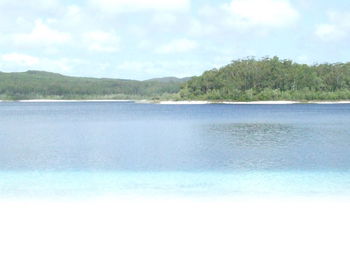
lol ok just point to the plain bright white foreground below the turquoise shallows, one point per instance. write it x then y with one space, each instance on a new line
175 230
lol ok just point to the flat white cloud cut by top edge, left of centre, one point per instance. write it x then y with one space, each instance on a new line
140 5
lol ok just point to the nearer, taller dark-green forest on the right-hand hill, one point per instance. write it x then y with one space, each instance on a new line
270 79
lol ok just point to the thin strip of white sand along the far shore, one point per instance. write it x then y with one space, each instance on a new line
185 102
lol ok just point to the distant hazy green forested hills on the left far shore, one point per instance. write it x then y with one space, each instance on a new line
46 85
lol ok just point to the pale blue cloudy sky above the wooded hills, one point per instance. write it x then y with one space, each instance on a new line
142 39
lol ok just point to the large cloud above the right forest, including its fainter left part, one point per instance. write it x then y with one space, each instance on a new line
256 17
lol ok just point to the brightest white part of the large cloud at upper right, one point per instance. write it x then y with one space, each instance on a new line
270 13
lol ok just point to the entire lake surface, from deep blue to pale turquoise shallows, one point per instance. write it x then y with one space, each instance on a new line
110 147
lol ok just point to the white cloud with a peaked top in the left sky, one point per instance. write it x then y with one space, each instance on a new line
41 35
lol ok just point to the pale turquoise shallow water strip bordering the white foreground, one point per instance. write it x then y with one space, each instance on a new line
119 183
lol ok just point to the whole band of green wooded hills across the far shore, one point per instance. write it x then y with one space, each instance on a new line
242 80
